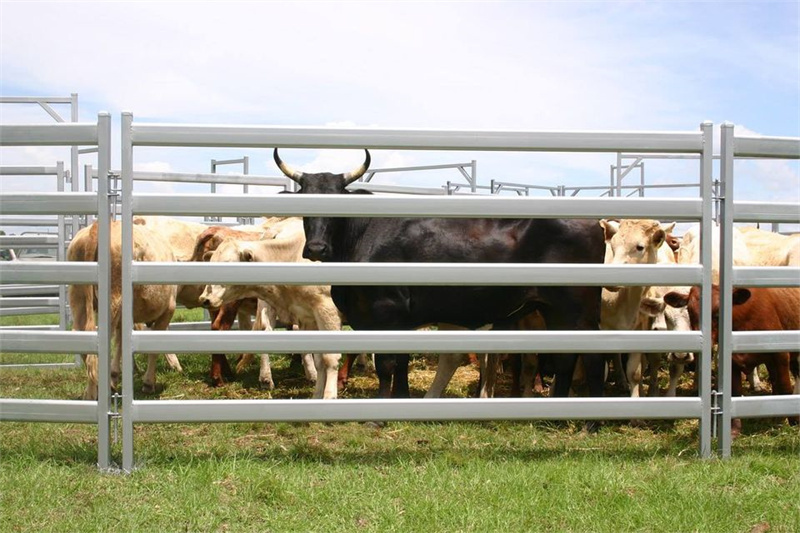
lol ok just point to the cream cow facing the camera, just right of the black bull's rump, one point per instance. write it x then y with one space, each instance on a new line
629 242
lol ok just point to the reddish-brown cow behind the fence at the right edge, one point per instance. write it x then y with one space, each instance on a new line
754 309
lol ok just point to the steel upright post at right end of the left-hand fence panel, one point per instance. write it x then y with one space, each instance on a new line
103 290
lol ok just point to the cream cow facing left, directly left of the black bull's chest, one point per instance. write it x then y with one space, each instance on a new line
309 306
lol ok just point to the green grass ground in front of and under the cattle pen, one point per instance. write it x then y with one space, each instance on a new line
499 476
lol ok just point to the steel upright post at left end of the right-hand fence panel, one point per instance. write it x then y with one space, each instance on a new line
724 376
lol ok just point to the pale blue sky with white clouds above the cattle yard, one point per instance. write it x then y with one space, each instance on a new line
529 66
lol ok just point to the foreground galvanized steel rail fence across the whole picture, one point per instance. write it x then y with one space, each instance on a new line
151 411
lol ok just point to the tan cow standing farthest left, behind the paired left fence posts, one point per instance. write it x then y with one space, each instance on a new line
152 304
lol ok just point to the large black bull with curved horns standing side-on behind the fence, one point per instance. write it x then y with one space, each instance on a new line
457 241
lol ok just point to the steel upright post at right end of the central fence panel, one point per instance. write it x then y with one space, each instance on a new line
704 367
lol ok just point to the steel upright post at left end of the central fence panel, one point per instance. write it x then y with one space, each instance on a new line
127 292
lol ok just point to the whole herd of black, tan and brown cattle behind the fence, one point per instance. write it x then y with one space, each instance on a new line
411 307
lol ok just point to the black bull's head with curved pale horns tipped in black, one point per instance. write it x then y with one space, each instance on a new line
321 231
